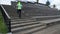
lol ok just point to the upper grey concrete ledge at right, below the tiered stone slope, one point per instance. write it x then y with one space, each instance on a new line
41 18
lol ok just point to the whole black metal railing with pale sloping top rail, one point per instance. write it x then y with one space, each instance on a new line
6 17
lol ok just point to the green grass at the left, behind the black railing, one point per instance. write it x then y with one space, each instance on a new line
3 28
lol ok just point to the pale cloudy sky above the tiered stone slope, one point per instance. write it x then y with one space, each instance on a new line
56 2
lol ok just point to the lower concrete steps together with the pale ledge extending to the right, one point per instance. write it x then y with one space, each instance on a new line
27 26
